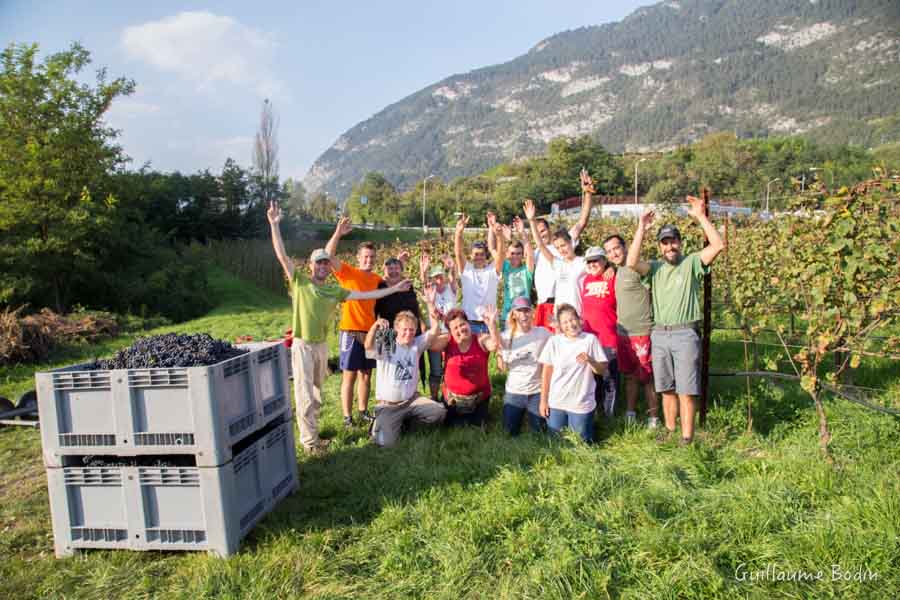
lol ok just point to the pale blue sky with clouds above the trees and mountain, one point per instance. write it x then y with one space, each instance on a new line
203 69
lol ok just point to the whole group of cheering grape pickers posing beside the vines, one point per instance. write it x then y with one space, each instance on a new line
596 316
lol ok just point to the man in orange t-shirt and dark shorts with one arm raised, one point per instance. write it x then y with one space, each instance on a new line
357 317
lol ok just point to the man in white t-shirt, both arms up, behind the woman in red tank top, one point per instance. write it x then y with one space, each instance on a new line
479 277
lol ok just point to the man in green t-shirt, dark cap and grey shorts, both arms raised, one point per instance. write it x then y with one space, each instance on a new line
675 286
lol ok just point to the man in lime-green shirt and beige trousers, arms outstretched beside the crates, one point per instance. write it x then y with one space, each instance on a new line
314 304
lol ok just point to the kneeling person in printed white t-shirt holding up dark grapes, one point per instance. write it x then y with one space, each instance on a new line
397 374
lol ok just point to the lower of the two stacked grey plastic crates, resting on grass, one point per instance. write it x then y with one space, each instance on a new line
172 508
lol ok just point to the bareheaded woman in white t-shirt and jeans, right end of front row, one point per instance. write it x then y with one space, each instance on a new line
570 360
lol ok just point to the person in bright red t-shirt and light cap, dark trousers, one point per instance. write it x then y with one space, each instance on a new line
597 288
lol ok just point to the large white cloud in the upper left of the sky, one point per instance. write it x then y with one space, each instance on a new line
208 49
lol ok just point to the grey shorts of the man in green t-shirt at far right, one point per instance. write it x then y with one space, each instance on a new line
676 361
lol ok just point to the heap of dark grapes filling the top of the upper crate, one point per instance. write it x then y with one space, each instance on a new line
170 350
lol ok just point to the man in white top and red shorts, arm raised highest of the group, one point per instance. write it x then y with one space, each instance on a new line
544 274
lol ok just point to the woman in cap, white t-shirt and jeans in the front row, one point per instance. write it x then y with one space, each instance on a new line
521 344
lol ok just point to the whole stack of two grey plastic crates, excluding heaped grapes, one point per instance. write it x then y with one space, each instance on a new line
167 459
